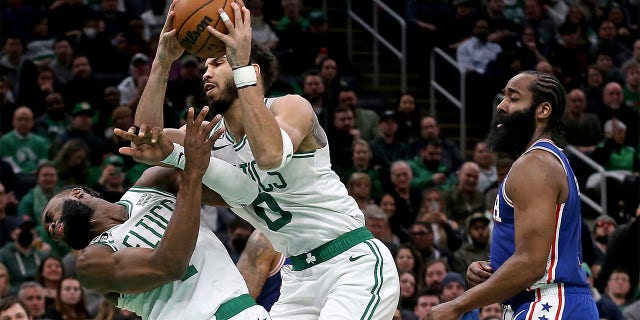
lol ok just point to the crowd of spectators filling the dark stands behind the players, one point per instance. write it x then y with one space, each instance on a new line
73 70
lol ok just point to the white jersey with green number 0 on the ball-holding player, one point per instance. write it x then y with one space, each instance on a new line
302 205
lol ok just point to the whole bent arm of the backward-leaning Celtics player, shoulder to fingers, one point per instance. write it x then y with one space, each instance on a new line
133 270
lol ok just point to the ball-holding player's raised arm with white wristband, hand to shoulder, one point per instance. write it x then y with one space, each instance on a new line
273 134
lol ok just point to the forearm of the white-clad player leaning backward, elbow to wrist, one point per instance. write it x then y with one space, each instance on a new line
179 240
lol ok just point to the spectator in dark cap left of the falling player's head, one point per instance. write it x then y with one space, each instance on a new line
21 257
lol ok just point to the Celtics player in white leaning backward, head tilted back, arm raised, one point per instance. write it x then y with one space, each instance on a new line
149 253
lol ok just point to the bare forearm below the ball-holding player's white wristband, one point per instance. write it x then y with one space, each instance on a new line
261 128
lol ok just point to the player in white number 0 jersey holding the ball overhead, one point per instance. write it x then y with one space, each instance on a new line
338 269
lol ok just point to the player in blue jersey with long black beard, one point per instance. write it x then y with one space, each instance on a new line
536 250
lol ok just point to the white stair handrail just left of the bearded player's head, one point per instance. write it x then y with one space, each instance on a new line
460 103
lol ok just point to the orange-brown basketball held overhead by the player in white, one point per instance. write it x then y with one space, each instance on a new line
191 20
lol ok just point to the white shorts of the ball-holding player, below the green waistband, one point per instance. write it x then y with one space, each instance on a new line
360 283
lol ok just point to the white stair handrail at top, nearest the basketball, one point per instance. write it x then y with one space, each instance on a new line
377 38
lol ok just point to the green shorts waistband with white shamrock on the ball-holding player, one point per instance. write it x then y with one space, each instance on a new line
330 249
